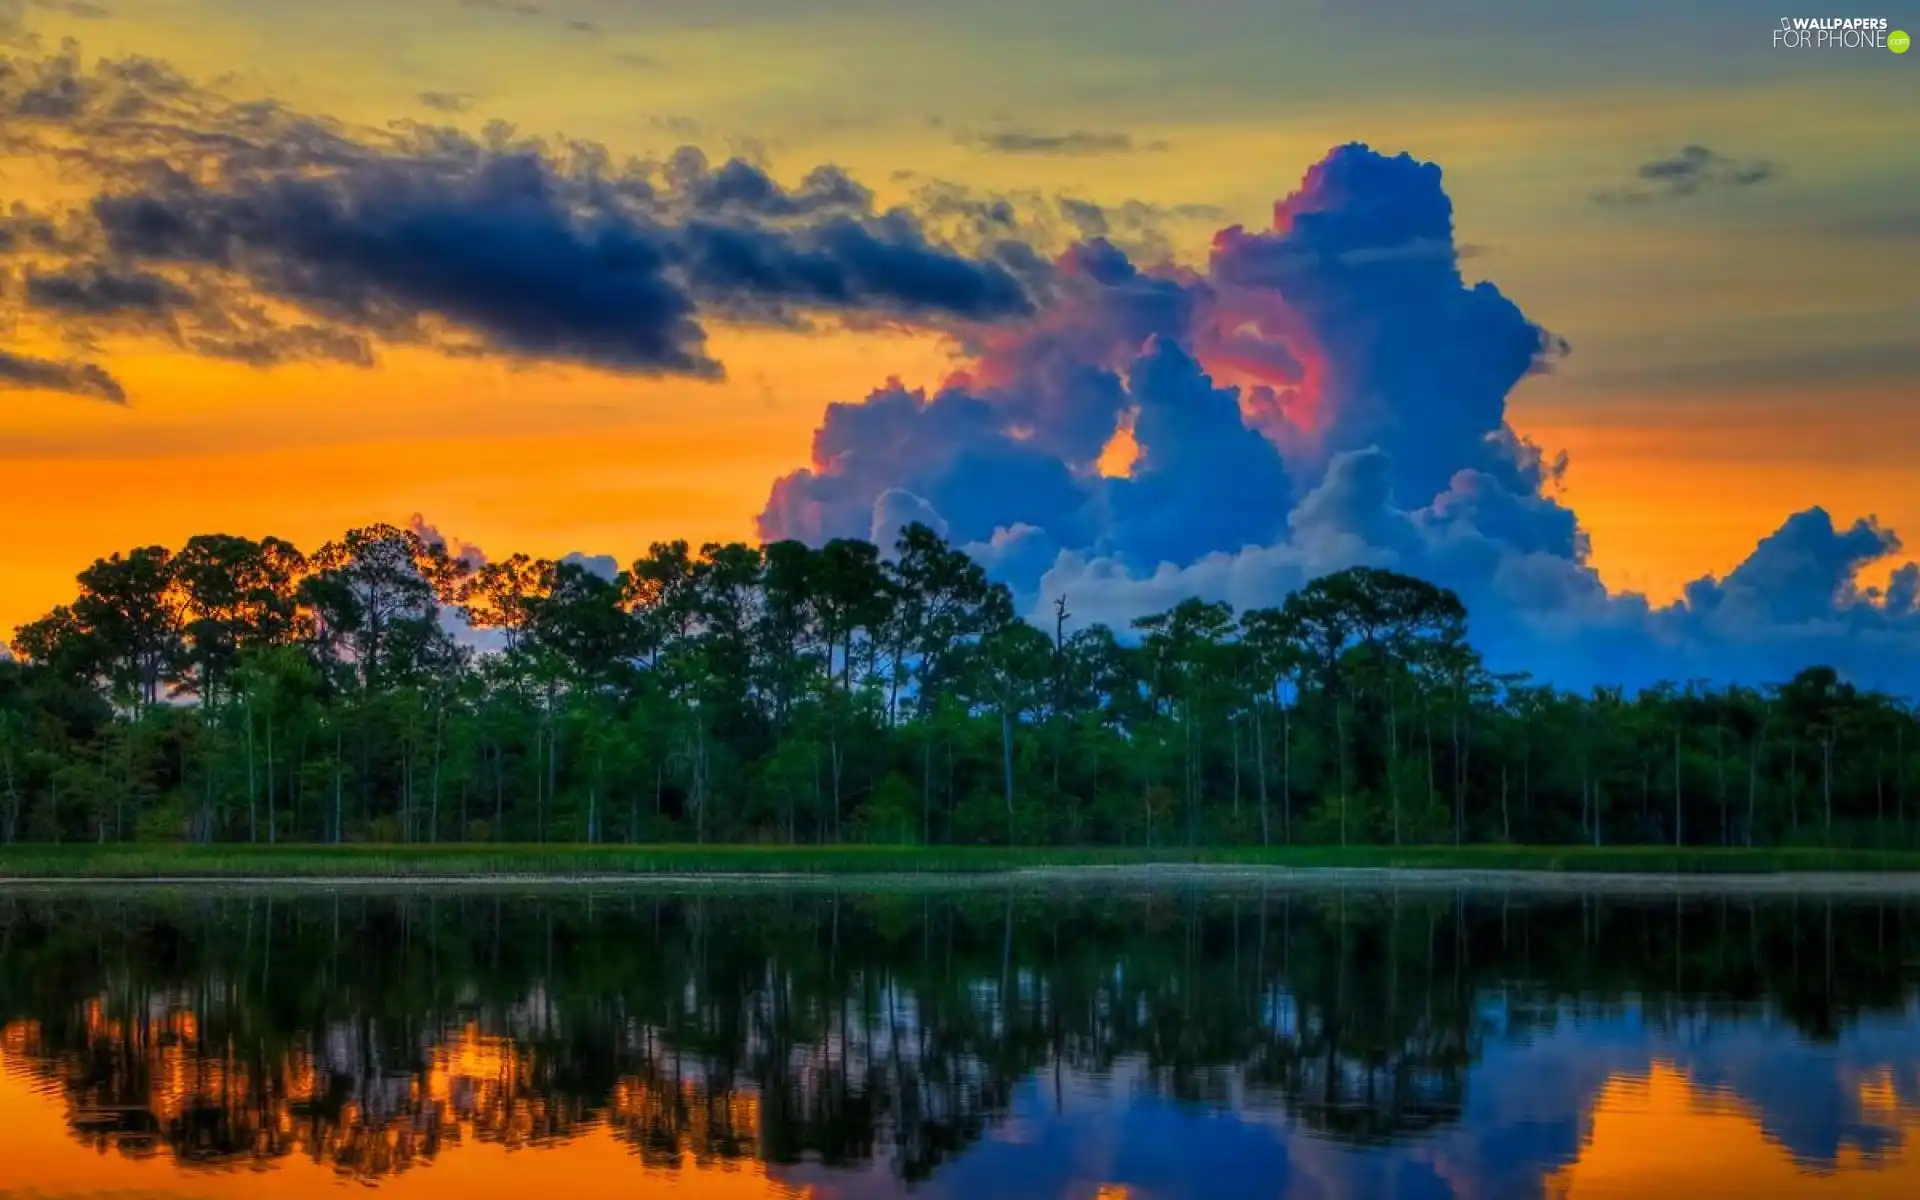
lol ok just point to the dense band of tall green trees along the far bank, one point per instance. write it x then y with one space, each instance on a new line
385 690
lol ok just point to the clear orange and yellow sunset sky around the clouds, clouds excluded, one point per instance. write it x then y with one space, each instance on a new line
1731 356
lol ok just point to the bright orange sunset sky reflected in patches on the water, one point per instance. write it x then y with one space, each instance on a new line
1648 1136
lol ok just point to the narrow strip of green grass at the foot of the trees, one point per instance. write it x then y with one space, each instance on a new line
416 861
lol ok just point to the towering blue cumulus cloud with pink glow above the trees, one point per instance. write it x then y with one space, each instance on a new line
1328 393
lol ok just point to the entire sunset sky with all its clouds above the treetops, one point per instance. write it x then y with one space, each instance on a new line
287 270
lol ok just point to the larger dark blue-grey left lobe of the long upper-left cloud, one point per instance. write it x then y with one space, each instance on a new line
385 251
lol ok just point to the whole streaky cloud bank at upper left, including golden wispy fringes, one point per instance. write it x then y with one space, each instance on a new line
249 231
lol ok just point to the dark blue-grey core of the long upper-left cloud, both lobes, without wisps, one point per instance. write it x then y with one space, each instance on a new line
525 258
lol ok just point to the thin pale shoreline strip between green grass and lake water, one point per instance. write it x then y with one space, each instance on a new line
1115 876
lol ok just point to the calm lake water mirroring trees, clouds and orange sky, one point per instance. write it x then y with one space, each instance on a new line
1170 1044
